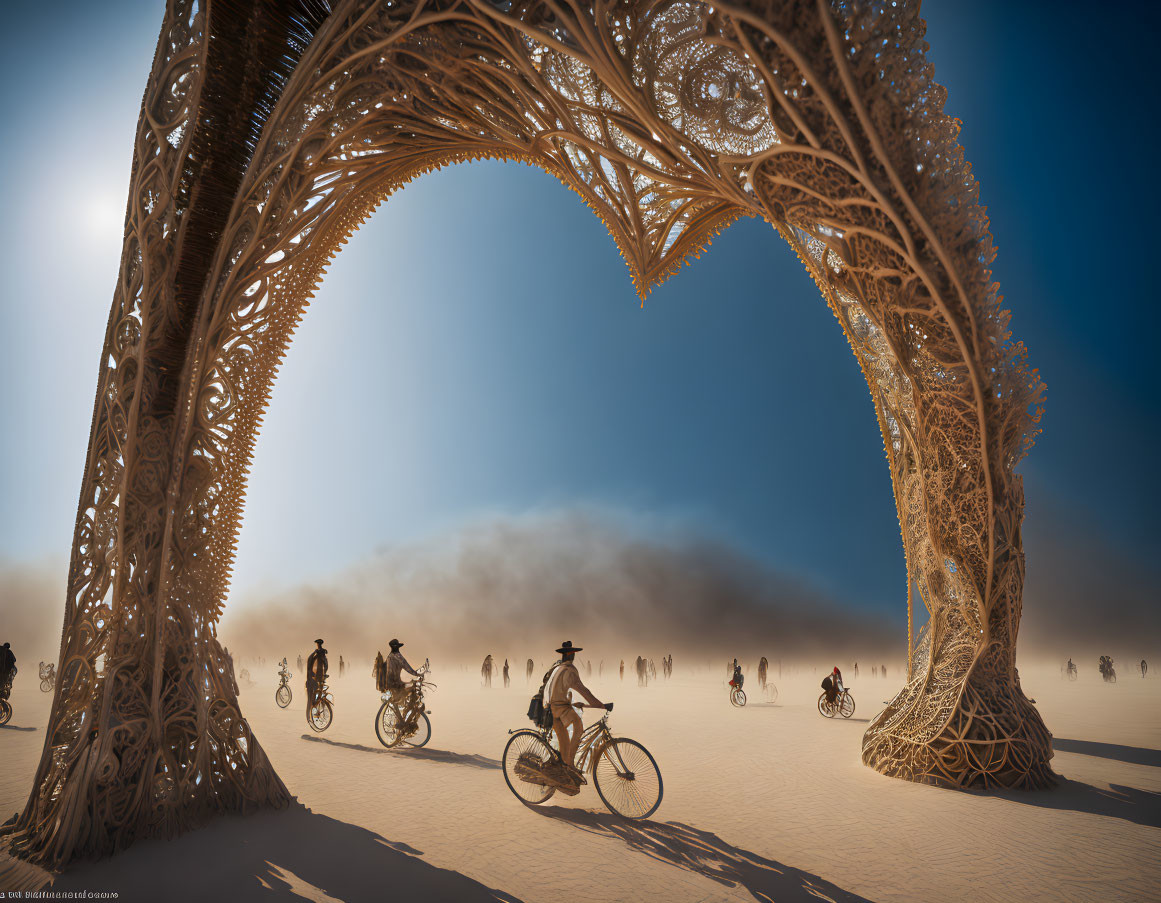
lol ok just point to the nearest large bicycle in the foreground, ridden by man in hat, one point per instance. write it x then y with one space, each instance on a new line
624 772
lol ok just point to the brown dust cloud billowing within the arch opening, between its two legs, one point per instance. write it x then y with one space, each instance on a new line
516 588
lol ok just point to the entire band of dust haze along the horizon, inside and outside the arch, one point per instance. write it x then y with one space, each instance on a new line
517 587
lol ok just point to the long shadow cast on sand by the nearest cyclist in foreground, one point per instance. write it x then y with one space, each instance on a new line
709 856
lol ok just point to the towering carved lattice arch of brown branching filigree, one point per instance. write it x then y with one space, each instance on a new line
262 150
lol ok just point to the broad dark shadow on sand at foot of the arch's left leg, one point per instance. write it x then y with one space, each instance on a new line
276 856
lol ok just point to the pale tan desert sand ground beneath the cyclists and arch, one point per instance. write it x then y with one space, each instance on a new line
769 803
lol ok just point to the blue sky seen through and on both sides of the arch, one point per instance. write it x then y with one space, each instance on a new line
478 350
